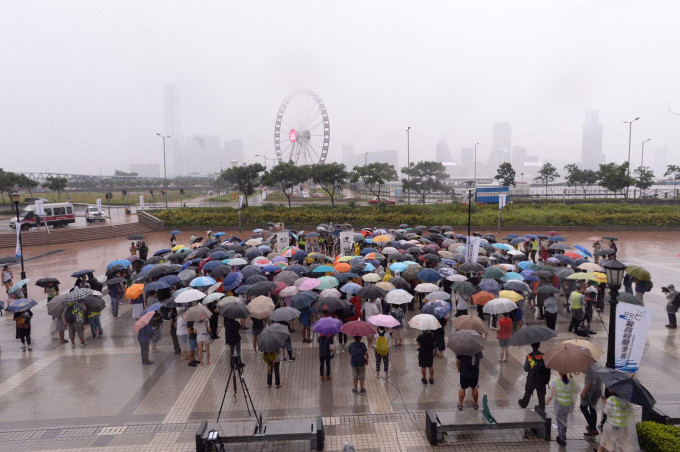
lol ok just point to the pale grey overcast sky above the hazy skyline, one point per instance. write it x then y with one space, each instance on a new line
82 81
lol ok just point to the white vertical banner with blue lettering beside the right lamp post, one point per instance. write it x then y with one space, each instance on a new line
632 326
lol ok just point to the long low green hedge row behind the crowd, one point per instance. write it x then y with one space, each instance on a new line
447 214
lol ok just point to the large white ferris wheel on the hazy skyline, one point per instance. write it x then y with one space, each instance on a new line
302 132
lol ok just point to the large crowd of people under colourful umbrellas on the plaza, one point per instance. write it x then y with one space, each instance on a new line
312 275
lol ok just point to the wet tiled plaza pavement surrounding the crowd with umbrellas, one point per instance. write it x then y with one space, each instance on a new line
100 397
